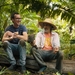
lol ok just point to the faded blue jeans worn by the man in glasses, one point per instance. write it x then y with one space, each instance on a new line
16 50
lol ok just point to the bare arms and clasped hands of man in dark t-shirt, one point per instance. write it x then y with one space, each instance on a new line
9 36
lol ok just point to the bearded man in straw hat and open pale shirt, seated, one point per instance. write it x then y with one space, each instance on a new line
48 45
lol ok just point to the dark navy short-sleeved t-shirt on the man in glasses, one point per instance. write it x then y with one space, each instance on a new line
20 31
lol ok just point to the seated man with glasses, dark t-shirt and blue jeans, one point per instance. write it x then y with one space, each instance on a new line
14 42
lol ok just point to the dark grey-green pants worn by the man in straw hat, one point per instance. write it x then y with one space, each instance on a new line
41 56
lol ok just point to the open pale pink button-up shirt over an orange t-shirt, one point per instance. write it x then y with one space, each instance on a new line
40 39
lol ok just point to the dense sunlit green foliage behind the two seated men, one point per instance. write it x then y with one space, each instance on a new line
62 12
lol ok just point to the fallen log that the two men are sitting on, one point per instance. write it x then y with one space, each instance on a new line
32 65
